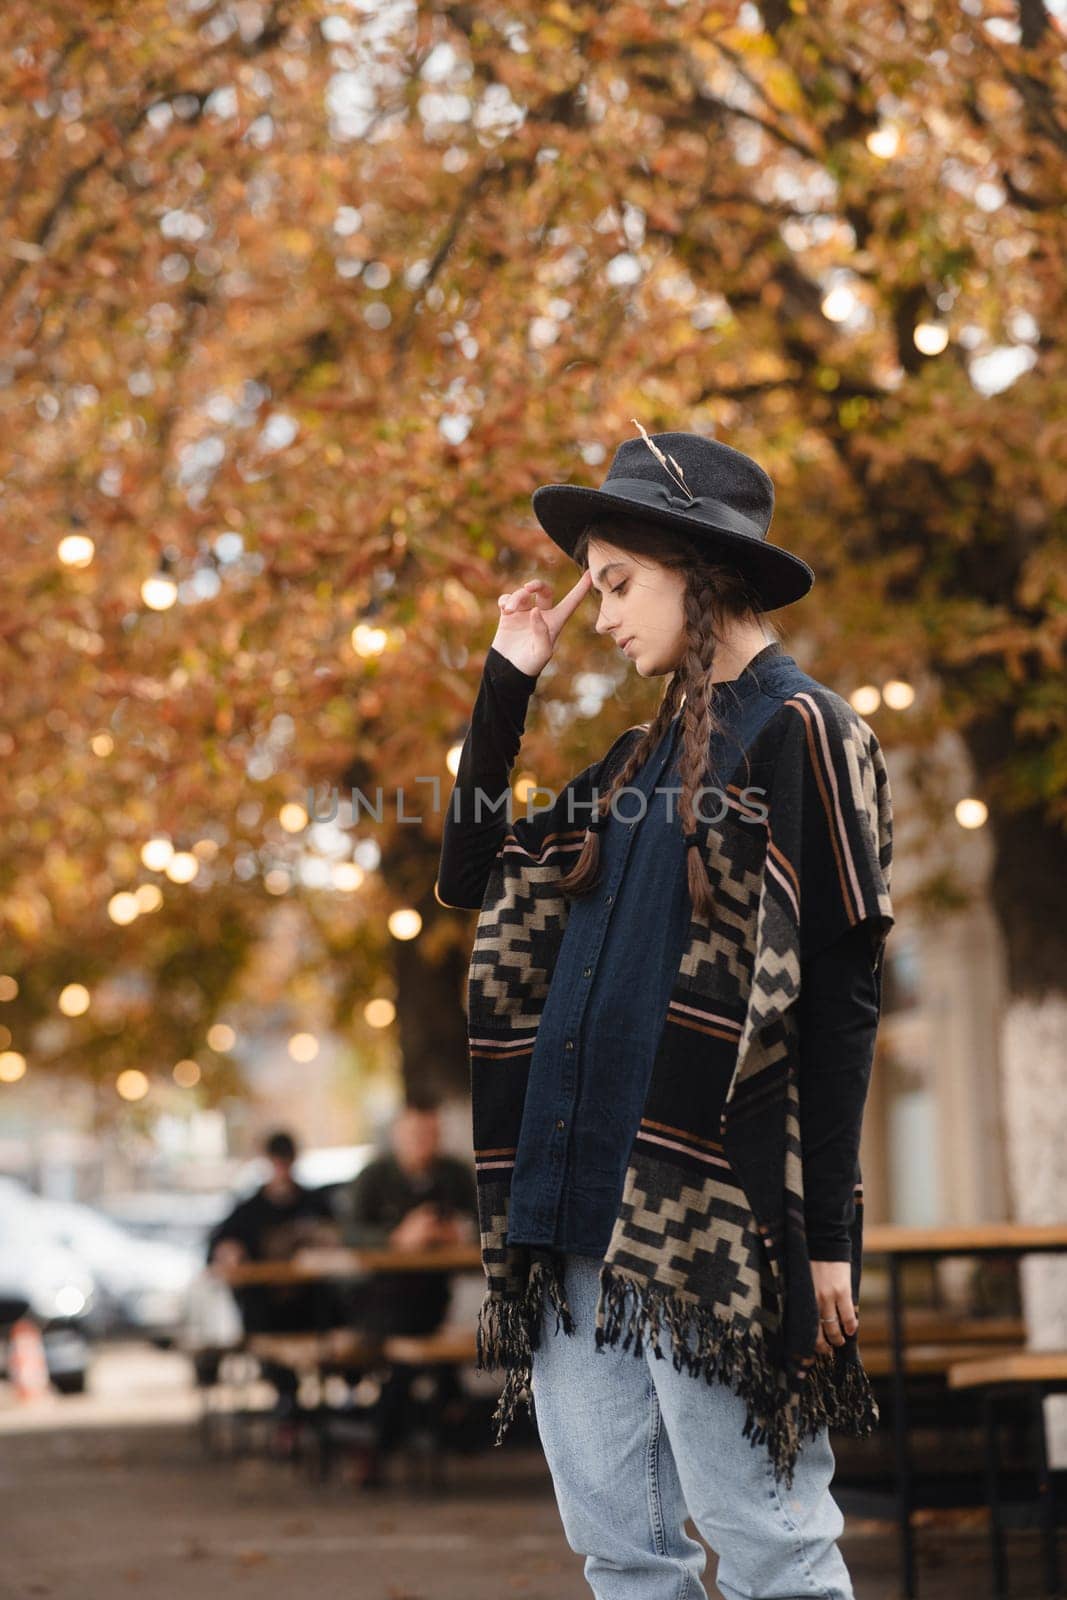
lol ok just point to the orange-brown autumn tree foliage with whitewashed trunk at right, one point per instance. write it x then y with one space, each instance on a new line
303 300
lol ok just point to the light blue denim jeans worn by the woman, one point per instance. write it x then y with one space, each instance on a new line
634 1447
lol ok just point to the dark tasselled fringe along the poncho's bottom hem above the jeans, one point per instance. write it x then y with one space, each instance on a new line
508 1332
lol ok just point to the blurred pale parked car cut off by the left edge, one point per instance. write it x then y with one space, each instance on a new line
47 1279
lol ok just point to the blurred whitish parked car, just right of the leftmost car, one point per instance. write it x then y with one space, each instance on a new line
142 1284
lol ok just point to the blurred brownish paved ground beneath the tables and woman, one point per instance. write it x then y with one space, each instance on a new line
110 1497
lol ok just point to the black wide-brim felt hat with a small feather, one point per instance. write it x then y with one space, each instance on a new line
716 495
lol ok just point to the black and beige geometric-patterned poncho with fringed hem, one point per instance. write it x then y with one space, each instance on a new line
709 1250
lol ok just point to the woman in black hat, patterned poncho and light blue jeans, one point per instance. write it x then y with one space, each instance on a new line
673 1009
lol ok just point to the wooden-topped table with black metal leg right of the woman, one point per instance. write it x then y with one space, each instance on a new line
933 1244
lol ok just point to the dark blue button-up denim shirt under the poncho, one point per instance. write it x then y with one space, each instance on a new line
610 990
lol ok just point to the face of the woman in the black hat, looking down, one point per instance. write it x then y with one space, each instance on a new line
641 601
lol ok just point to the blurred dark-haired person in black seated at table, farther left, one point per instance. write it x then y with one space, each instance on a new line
273 1225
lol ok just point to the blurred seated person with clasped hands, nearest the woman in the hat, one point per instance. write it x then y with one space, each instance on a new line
414 1198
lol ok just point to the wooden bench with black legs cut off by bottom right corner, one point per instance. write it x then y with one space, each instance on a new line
997 1377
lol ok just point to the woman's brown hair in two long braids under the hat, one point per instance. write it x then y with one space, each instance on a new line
716 594
